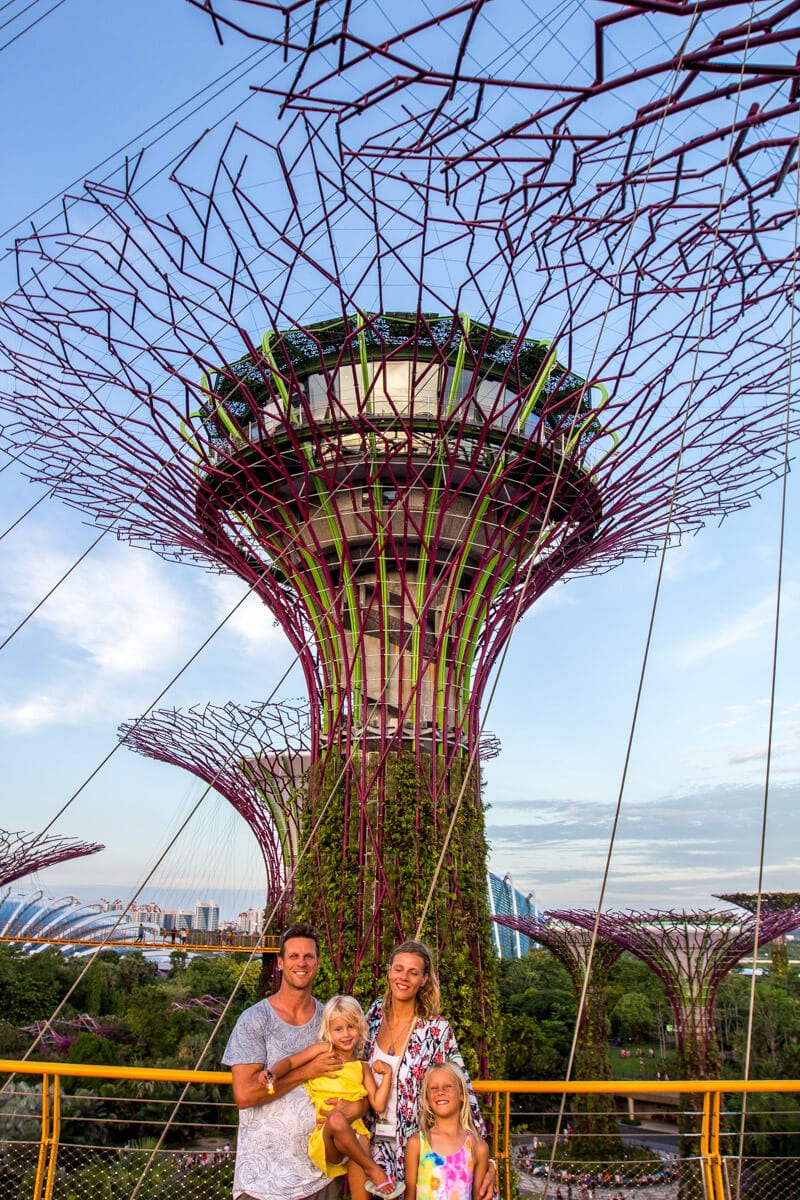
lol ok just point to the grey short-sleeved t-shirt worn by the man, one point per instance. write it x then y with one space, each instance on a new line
273 1160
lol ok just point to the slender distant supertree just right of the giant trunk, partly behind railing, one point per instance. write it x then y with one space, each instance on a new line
579 952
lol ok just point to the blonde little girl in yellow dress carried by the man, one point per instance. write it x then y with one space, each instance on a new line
336 1142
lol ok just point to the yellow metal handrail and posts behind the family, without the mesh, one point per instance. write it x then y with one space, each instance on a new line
497 1094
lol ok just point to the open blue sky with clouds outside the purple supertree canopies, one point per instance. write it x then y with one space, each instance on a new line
83 83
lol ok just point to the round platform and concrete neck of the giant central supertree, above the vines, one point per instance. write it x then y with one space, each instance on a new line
411 477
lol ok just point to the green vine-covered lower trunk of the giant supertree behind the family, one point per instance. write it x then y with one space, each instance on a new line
378 826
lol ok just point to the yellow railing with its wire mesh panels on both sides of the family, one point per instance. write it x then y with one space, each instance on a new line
80 1132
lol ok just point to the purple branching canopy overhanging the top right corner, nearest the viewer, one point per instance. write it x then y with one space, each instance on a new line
594 103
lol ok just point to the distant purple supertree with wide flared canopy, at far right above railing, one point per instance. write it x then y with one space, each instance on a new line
691 953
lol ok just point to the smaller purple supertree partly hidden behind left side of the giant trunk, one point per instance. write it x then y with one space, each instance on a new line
256 757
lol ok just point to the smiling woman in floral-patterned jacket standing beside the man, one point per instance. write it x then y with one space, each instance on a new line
407 1031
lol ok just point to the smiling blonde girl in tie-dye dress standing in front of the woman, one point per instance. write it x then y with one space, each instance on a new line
447 1160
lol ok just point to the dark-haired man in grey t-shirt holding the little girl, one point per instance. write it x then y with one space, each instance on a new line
276 1121
